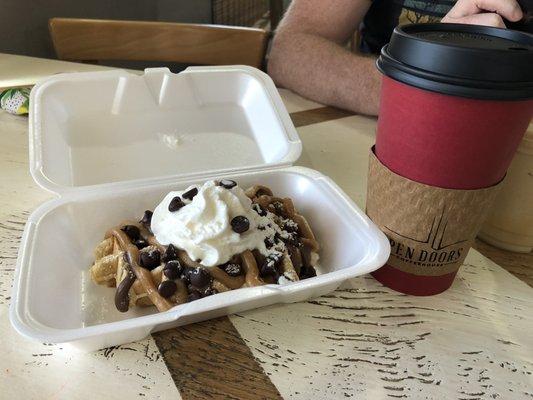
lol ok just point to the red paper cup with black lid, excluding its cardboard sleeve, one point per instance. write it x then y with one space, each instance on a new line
455 103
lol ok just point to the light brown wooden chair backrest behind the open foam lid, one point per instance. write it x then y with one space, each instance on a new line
100 40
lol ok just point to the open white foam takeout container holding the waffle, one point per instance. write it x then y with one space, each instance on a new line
112 144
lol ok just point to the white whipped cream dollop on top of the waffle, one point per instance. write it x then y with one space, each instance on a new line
202 227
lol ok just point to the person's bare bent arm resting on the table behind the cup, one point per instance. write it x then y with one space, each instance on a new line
308 57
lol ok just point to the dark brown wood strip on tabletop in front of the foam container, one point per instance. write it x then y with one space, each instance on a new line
210 360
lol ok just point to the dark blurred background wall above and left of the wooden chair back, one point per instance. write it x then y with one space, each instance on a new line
24 24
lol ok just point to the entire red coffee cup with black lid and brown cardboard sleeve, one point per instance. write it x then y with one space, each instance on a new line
455 103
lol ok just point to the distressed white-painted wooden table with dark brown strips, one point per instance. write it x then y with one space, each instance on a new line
363 341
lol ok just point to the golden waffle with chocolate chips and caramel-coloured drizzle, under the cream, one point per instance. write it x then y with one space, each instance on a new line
173 278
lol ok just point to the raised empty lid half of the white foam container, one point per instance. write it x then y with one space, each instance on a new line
114 128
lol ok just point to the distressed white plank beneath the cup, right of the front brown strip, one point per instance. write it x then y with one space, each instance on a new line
368 342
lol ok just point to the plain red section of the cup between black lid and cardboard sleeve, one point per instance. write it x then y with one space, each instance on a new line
448 141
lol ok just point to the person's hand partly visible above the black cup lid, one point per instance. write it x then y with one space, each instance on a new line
484 12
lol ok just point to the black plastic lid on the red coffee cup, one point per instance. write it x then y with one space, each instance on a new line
461 60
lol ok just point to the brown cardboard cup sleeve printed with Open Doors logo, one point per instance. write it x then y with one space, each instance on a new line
430 229
